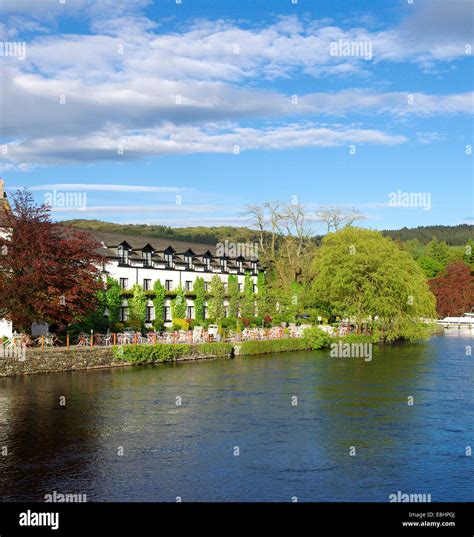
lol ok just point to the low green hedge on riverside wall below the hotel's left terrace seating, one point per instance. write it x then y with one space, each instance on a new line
169 352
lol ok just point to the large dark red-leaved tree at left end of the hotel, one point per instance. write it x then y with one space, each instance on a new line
48 272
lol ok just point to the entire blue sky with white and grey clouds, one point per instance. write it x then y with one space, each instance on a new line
182 113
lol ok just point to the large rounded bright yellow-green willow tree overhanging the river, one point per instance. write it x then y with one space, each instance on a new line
366 277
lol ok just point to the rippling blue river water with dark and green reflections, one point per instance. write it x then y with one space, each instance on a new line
286 449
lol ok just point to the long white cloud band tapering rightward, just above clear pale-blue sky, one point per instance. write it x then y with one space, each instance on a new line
170 139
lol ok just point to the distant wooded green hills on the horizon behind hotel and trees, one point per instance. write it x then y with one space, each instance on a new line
453 235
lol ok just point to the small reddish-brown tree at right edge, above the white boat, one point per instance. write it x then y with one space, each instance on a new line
454 290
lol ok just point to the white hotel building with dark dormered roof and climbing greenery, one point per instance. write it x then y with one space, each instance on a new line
143 260
